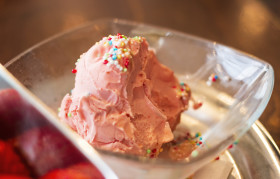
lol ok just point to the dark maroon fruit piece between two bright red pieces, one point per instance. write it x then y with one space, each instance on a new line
46 149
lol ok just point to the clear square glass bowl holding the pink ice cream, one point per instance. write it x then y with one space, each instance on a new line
231 104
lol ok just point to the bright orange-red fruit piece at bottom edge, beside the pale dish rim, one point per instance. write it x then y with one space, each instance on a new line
83 170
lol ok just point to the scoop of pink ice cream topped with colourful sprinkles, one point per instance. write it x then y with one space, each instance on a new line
124 100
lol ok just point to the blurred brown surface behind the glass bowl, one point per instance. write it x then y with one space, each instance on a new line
252 26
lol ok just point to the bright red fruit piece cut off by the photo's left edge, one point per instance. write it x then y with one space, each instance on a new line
10 161
